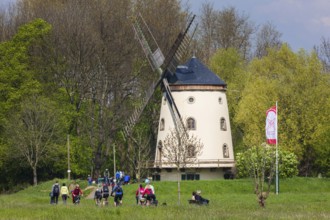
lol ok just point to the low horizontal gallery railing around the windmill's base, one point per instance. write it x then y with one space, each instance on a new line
202 163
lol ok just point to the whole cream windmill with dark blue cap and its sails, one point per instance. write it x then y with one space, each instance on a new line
193 93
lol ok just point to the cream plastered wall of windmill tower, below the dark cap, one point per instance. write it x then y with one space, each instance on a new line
207 111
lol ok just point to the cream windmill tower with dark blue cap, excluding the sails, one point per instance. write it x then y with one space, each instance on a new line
201 99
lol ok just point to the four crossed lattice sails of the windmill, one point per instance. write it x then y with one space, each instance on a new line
156 60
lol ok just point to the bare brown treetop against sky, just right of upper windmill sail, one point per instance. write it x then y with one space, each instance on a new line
223 29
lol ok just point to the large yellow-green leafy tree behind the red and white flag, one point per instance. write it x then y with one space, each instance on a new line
296 81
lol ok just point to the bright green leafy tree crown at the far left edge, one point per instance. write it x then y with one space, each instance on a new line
16 77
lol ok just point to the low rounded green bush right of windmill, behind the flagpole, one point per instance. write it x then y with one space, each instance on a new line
248 161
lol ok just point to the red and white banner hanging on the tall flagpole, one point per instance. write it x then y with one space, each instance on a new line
271 125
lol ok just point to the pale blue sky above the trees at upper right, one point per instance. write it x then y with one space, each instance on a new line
302 22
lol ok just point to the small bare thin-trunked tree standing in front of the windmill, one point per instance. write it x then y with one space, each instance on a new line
181 149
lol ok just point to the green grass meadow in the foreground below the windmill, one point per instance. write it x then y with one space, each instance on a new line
299 198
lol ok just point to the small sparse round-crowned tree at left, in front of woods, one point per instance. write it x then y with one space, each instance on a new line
34 130
